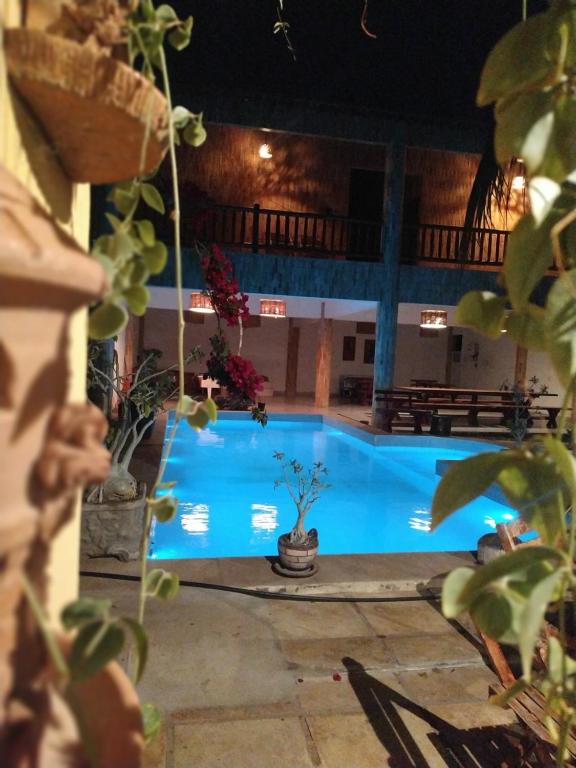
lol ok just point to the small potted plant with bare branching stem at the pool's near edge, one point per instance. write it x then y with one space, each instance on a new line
297 549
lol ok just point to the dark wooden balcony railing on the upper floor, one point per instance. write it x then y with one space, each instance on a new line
264 230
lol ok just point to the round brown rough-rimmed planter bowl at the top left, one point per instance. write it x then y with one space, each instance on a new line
93 108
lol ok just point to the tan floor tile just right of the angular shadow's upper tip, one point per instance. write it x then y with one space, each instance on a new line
458 684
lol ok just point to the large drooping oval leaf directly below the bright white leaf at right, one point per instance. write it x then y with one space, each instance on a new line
528 258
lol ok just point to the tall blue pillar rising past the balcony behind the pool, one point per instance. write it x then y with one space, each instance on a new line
387 311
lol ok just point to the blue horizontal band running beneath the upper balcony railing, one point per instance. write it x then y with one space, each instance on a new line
326 278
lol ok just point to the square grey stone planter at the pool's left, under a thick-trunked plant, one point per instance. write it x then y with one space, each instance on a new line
114 528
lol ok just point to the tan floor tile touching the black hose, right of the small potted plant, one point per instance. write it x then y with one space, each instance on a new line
405 618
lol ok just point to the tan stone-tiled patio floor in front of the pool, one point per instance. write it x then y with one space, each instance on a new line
246 682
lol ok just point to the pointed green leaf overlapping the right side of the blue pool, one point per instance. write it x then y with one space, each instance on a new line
465 481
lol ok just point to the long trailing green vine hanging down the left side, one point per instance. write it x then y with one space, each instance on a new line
130 254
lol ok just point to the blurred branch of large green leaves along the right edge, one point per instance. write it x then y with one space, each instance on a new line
530 76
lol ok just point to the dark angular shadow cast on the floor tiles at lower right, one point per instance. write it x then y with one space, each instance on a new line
474 748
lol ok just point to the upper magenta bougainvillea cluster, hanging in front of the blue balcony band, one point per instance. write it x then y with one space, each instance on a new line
229 304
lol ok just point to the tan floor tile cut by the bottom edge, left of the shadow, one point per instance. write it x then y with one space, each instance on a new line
243 744
